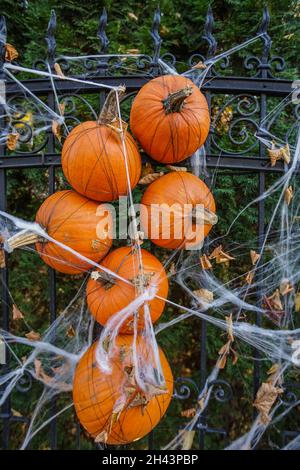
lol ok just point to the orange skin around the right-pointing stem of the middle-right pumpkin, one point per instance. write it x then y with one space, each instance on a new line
174 188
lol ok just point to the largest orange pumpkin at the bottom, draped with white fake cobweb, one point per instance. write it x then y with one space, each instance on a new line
98 396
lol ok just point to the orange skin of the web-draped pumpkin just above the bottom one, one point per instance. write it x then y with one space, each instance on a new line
103 303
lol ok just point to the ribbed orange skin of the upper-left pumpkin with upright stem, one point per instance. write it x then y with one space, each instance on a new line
93 161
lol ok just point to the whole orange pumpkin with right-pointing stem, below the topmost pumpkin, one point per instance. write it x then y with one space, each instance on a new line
177 211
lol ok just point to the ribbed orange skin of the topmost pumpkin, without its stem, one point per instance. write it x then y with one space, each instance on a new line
169 138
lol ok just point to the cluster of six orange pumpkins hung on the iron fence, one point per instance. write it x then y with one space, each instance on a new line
170 119
